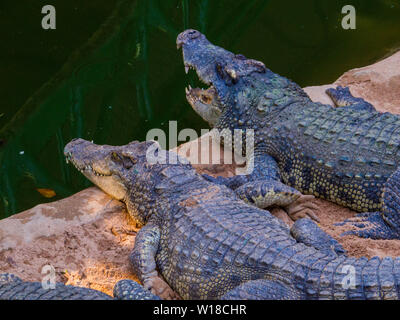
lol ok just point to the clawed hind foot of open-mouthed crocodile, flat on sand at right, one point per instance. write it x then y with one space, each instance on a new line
370 225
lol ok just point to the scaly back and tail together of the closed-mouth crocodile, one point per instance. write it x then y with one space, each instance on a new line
212 242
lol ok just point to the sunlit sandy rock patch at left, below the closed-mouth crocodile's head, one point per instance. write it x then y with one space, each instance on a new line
87 238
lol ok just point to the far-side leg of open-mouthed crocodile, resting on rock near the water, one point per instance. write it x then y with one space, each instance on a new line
342 97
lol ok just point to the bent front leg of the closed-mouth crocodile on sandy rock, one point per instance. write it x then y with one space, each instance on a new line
143 261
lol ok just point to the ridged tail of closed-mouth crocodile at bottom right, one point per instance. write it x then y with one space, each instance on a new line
347 278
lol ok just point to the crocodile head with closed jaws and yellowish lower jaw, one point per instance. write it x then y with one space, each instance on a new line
115 169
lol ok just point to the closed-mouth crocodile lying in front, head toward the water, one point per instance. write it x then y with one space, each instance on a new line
200 240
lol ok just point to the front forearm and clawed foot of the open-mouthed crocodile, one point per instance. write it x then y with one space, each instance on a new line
267 193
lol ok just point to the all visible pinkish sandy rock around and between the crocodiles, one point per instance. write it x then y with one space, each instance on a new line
87 237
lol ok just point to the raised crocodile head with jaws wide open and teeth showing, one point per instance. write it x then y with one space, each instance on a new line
238 87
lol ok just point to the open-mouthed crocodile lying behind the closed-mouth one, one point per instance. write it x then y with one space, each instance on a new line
348 154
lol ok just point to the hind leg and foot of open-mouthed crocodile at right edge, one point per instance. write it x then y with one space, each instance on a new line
384 224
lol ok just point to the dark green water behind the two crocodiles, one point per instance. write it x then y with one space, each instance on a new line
110 71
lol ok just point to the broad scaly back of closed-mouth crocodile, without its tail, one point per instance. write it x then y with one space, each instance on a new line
213 242
